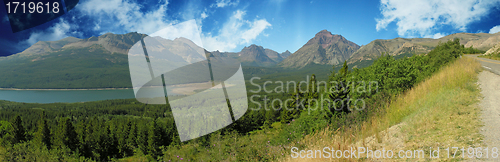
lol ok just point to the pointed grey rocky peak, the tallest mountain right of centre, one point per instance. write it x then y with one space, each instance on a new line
323 48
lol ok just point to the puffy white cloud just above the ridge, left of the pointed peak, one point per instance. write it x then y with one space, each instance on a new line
236 31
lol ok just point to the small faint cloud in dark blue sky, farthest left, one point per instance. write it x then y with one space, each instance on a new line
60 30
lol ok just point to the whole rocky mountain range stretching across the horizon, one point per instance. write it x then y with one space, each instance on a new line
101 62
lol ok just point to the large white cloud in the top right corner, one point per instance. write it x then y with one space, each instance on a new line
425 17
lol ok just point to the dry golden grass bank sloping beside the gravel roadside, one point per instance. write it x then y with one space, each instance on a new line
438 112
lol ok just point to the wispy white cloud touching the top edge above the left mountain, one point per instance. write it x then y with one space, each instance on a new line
125 16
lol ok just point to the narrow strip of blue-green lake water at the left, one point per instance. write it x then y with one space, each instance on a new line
52 96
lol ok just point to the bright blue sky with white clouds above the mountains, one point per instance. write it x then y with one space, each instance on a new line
280 25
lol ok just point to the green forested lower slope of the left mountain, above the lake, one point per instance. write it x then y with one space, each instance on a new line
90 67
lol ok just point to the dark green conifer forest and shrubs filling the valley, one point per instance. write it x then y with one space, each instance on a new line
128 130
